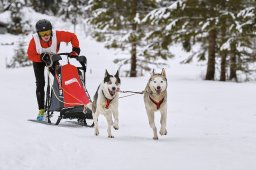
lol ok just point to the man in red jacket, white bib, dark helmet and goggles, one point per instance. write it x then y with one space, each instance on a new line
47 41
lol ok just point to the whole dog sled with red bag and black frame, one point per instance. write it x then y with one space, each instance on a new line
67 95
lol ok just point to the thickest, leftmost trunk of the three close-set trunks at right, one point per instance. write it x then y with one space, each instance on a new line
211 55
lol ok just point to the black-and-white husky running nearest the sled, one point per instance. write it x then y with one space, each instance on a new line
106 102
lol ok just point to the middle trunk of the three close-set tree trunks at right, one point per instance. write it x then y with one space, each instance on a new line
224 52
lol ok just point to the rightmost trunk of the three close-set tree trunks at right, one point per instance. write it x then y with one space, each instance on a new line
233 62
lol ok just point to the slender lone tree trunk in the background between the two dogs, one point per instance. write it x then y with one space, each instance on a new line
133 71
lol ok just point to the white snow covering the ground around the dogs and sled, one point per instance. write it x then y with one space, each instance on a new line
211 125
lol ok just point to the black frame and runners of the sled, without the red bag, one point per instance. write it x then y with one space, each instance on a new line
54 94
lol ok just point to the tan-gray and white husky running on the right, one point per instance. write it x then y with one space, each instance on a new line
155 98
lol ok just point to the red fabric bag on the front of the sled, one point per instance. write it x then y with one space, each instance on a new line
73 90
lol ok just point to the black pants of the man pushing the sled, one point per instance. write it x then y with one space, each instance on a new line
40 82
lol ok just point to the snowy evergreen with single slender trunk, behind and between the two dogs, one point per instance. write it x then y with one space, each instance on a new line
118 23
